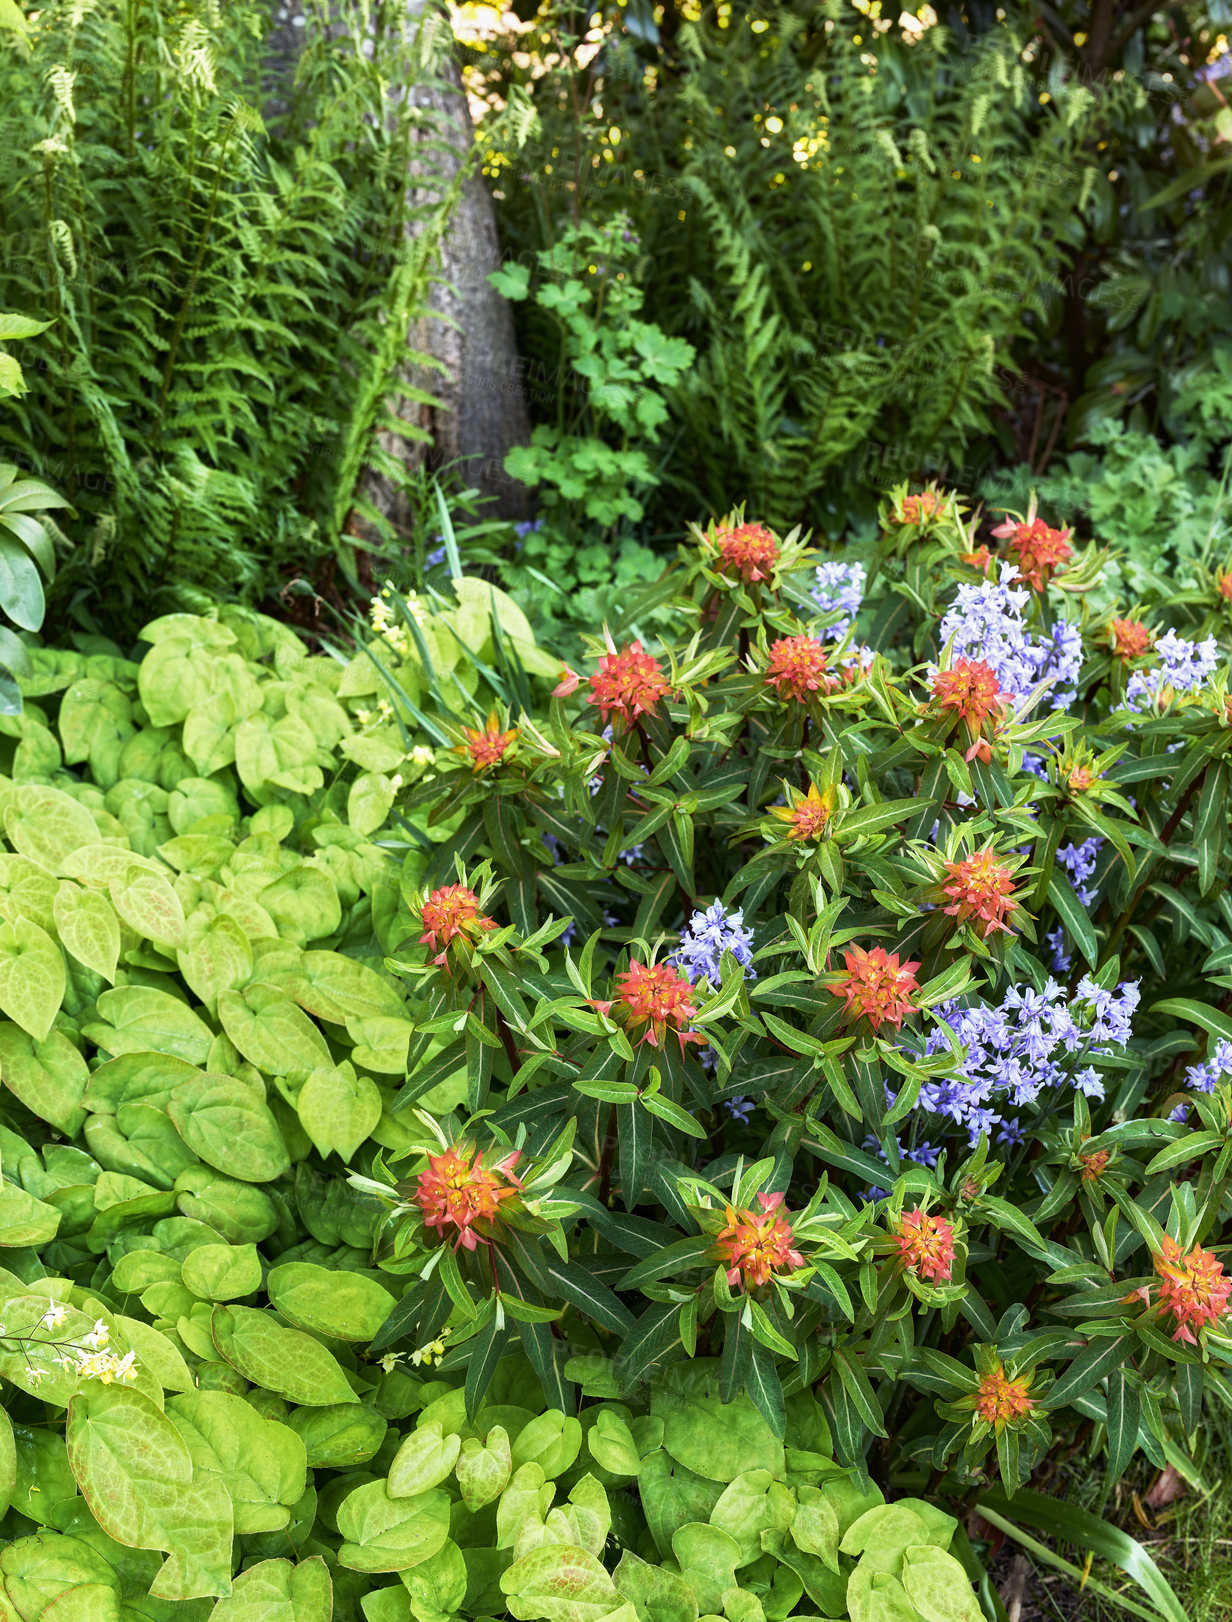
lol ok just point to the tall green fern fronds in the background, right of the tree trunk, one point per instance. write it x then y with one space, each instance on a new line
855 228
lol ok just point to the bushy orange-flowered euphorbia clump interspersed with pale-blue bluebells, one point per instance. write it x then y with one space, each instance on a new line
811 1002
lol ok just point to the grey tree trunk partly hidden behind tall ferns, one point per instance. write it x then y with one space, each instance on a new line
484 410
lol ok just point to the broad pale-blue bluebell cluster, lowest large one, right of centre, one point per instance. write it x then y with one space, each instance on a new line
1025 1047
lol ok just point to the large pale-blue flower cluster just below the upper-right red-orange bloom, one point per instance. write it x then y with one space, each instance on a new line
986 622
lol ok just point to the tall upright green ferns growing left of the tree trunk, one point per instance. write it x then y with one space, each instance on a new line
229 301
